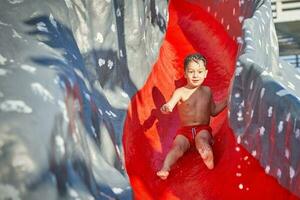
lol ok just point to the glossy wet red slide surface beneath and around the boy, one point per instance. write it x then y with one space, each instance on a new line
148 134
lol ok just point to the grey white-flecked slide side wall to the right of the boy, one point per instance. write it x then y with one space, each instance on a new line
265 101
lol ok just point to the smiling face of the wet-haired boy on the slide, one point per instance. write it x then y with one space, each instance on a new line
195 73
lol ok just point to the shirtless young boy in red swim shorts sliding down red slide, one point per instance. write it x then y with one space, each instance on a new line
195 106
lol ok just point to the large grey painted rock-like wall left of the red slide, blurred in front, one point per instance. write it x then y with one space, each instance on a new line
67 72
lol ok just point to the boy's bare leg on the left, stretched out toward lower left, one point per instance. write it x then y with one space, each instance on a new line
179 147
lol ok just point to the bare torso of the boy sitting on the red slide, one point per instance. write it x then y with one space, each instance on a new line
194 108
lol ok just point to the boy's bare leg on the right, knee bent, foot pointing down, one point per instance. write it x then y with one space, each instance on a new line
203 141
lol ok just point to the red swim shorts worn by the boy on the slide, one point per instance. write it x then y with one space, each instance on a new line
190 132
